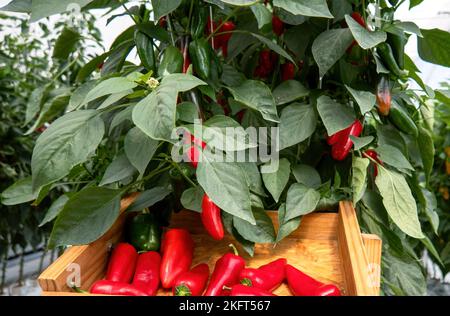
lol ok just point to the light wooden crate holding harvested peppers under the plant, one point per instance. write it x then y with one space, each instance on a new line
328 246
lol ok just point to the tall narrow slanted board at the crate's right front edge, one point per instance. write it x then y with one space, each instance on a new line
353 255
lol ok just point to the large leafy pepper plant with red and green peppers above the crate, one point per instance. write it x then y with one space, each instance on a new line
332 76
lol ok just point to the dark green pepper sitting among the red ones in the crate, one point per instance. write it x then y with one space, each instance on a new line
144 232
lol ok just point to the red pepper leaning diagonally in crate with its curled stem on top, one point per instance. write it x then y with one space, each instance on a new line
226 273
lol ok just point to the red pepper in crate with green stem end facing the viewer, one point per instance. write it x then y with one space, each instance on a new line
193 282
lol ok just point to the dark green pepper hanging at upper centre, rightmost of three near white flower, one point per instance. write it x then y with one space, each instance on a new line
200 52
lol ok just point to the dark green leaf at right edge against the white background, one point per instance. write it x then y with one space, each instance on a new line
434 47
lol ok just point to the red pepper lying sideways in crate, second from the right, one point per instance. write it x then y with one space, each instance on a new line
267 277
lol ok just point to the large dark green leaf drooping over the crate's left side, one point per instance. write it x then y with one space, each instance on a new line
86 217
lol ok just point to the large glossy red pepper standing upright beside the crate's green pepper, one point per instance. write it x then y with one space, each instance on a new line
177 251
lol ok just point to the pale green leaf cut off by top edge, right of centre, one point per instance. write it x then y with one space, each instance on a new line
317 8
